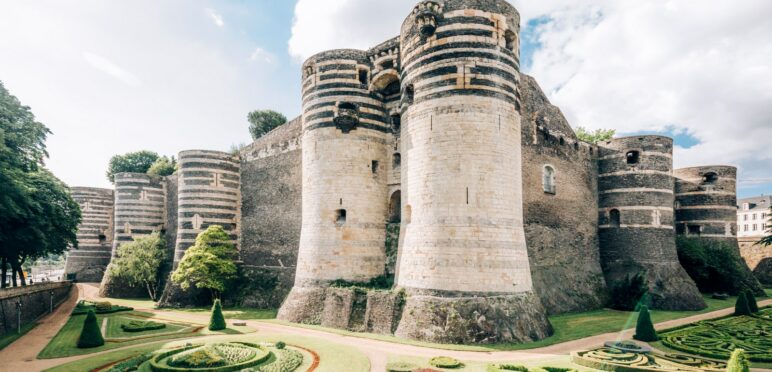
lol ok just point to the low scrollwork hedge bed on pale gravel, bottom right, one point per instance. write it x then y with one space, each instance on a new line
613 359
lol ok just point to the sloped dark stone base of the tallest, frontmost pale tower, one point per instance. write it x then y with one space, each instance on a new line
467 320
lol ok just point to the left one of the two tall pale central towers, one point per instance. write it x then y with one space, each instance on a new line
344 205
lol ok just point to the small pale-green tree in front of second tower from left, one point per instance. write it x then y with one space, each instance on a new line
140 262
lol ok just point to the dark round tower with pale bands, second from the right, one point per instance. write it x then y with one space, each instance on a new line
635 199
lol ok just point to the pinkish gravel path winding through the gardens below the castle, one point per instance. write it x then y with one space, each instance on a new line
20 356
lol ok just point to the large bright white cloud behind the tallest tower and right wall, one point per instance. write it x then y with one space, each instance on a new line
699 67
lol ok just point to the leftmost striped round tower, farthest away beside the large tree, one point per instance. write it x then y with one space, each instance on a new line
95 235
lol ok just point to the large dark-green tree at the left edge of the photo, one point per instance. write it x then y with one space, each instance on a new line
38 216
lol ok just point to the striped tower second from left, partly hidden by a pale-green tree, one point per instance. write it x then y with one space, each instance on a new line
139 211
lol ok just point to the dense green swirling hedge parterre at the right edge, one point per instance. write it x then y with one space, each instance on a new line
718 338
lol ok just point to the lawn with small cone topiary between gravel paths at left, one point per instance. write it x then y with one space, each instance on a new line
64 343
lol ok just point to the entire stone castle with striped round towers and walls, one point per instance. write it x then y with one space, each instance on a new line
432 160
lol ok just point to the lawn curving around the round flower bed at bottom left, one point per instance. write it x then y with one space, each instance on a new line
333 357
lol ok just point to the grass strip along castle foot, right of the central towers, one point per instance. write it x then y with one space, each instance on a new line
567 327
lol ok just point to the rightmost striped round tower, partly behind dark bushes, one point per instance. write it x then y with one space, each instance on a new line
706 209
